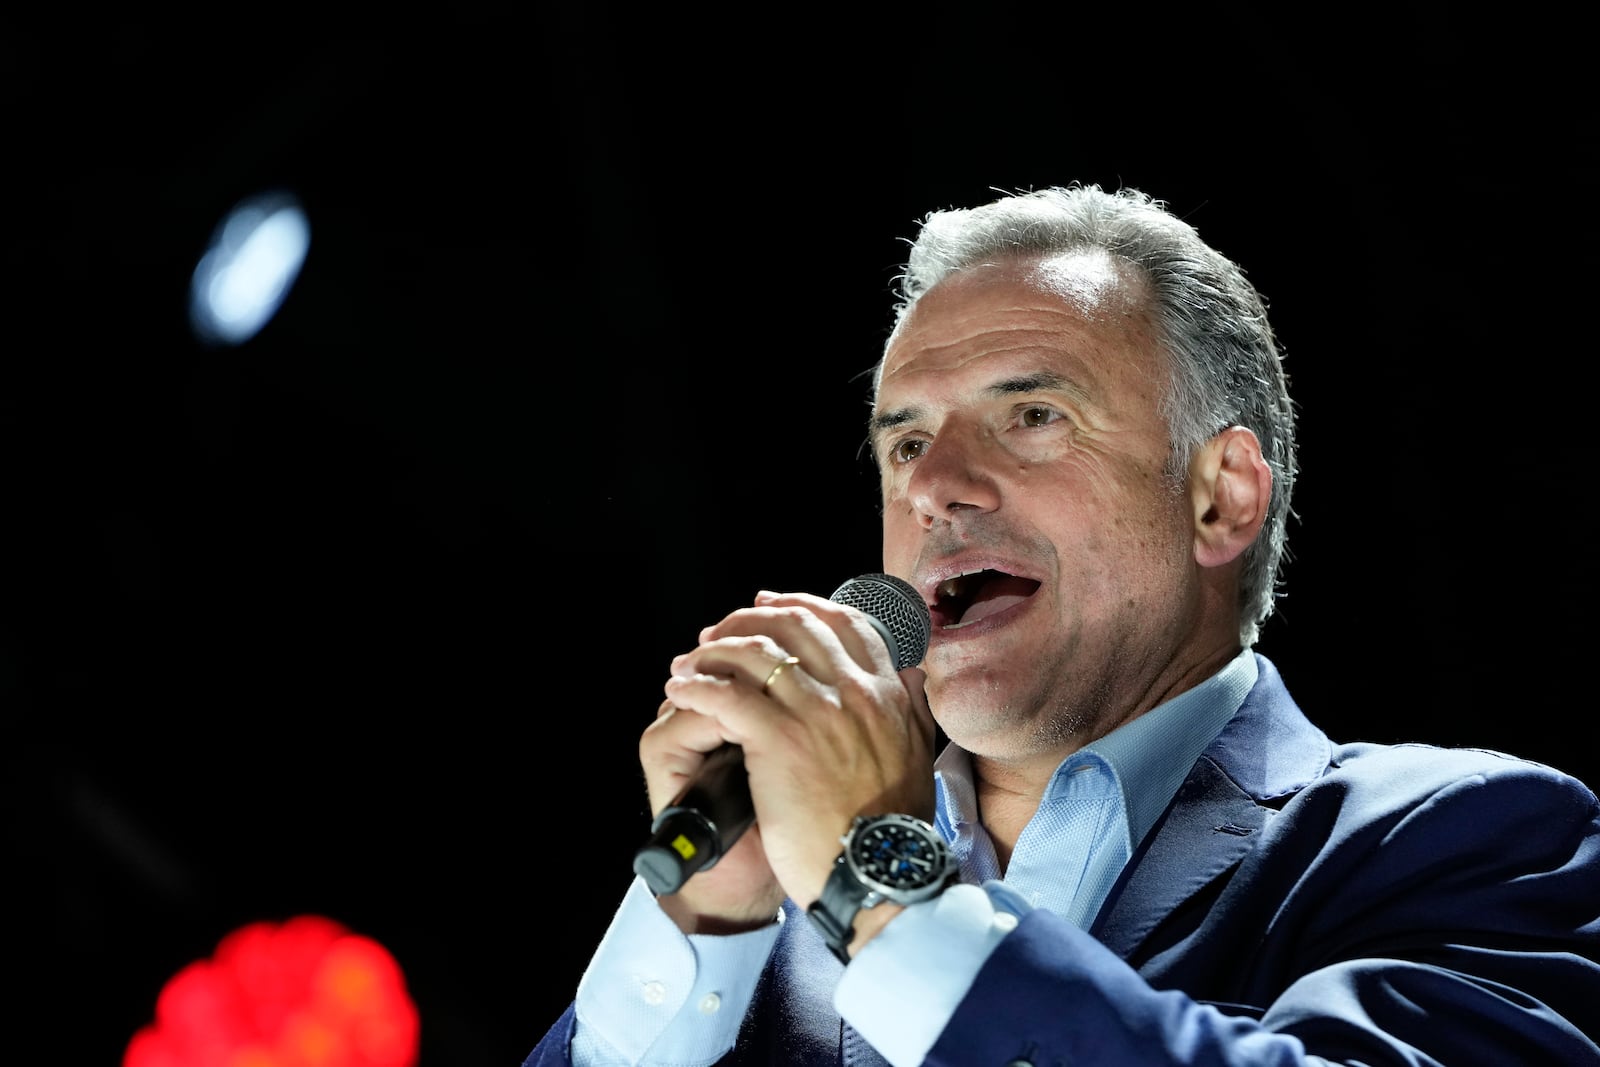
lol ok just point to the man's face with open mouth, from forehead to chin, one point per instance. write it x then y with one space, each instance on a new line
1020 442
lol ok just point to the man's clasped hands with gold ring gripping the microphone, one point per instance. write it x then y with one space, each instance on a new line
838 733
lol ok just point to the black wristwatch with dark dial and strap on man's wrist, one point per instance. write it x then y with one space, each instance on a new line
887 858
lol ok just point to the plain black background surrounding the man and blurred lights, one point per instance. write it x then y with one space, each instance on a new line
364 617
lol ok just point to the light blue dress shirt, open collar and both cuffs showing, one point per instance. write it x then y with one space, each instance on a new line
654 996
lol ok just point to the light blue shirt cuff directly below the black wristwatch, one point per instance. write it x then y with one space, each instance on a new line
903 988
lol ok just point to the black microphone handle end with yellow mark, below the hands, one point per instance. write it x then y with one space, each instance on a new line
703 823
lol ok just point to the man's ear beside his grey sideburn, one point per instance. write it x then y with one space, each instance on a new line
1230 486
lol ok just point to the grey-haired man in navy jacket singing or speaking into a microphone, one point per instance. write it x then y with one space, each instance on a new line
1087 452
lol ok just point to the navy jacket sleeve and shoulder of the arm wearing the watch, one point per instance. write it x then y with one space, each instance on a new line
1422 909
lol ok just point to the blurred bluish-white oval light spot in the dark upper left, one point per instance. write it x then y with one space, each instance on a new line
249 270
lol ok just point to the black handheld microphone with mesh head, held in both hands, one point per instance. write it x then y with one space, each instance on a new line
714 810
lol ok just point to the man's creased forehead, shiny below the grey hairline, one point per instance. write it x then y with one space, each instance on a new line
1081 316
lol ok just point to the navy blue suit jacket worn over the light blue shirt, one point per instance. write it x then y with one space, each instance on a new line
1359 903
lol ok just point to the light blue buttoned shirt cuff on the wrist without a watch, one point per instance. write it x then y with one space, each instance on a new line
652 989
